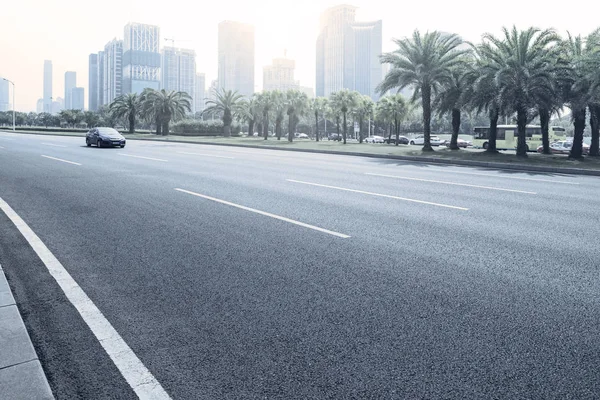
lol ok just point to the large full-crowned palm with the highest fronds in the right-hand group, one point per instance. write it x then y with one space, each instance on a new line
524 77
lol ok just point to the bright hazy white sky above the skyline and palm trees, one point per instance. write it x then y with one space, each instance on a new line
67 31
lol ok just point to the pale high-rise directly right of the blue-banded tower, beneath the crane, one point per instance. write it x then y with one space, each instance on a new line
178 70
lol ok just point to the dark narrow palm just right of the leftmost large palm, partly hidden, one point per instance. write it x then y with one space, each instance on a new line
451 98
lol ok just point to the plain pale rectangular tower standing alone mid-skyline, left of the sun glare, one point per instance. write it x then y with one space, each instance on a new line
236 57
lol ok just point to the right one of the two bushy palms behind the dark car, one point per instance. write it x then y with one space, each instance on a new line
166 106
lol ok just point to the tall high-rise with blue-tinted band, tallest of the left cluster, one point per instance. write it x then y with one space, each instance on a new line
141 58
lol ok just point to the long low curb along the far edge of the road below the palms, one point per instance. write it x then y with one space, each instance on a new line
428 160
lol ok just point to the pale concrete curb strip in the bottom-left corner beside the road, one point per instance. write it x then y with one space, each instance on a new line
21 374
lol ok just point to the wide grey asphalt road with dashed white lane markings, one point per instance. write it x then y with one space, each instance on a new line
405 281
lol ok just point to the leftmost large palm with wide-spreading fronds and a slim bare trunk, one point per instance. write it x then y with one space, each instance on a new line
423 62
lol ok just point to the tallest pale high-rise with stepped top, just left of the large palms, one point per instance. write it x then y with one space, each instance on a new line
347 53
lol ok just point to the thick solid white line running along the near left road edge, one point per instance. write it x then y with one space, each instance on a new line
133 370
